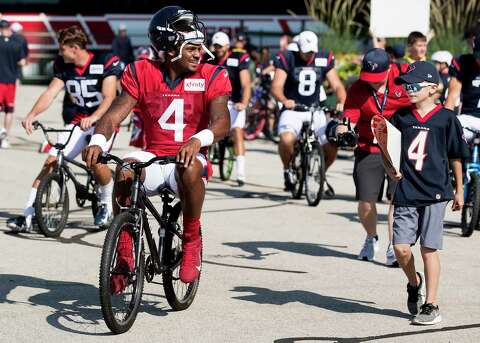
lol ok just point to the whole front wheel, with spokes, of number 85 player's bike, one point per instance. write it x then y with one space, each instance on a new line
52 205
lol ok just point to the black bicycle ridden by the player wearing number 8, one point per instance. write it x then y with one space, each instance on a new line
308 162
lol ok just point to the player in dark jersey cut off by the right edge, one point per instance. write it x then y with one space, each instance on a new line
465 83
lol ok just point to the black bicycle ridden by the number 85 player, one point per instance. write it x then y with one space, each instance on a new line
52 199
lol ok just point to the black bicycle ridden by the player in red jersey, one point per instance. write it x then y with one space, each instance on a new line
120 308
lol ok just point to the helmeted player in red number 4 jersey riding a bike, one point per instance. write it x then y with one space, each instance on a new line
183 104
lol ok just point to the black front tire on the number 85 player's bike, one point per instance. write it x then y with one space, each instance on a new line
42 188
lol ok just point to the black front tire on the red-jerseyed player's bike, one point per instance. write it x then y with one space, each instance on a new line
108 252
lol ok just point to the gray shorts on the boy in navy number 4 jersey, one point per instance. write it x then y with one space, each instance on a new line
426 222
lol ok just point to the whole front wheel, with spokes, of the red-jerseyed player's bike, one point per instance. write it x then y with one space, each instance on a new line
121 278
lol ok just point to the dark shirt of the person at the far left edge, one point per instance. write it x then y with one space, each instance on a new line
10 54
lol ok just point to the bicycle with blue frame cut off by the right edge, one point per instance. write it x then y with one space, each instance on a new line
471 182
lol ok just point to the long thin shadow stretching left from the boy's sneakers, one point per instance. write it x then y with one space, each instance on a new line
341 305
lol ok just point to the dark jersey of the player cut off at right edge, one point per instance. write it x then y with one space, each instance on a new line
466 70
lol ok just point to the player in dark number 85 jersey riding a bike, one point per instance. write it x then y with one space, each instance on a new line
90 80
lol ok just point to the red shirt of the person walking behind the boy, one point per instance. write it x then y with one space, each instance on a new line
360 106
